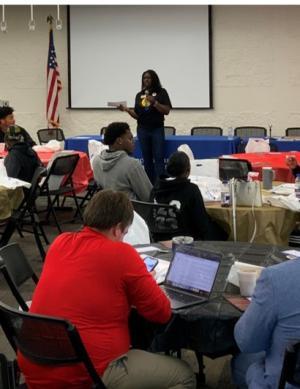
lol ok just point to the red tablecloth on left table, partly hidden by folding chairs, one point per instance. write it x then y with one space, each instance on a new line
82 174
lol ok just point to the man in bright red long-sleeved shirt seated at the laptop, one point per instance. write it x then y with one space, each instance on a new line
93 279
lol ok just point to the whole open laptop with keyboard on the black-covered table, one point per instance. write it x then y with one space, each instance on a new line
190 277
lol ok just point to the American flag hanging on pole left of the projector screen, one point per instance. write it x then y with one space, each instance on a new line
53 82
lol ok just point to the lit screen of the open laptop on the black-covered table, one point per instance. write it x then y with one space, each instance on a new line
191 272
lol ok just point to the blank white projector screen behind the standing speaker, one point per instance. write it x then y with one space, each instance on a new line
110 47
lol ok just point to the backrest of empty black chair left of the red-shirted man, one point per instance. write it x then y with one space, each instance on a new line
16 270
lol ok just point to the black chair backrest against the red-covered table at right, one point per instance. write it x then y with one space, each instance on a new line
233 168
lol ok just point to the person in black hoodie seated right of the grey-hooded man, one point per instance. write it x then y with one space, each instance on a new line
176 189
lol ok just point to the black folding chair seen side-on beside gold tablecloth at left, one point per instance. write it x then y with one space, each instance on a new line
25 218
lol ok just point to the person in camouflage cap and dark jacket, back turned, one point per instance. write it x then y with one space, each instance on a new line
21 160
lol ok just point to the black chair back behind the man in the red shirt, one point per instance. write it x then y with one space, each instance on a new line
46 340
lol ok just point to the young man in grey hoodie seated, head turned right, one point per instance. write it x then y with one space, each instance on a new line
116 169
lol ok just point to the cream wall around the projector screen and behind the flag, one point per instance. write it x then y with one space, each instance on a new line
256 71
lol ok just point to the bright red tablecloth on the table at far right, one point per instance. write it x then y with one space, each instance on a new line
274 160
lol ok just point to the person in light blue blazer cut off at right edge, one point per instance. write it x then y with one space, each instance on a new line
270 323
